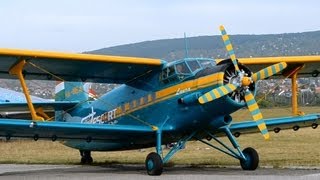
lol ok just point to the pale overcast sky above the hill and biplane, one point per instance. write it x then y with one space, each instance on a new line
82 25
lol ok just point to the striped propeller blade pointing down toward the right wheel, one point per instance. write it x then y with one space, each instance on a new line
256 114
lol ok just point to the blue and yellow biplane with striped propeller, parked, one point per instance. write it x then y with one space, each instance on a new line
157 103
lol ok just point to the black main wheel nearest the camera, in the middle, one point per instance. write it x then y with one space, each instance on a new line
154 164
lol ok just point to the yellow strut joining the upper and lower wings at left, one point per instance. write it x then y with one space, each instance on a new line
17 70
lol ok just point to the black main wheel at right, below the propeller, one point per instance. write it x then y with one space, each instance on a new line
252 159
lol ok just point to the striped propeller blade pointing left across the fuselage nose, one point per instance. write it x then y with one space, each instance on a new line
216 93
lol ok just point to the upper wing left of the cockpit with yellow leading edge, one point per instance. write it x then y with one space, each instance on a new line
75 67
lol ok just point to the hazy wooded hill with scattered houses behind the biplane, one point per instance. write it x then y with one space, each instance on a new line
306 43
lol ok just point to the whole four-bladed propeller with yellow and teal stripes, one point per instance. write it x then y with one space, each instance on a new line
243 83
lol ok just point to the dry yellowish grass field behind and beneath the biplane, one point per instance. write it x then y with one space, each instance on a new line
287 148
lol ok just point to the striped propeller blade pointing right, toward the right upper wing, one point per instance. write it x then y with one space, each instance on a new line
269 71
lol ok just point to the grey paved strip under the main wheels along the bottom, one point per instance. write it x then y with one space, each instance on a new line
9 171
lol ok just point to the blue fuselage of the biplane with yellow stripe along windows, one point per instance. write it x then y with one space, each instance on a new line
153 101
